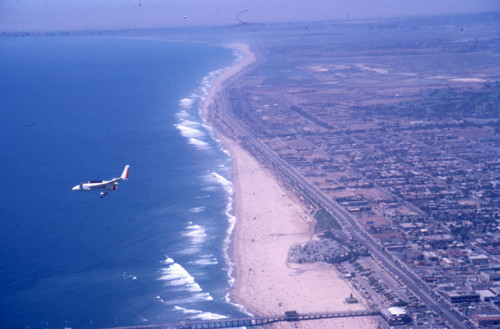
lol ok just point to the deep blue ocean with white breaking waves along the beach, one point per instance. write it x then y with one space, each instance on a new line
74 109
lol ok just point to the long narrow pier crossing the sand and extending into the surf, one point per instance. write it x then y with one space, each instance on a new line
289 316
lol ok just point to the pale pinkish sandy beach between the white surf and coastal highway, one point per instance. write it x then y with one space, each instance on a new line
268 222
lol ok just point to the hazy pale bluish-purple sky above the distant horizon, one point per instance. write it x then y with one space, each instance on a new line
39 15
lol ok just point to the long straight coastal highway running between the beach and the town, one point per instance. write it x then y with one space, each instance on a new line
399 272
